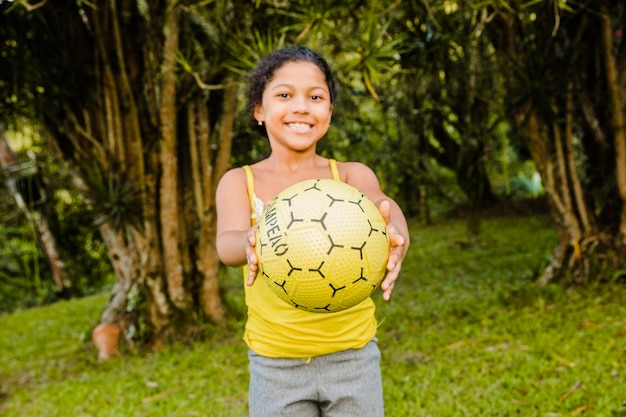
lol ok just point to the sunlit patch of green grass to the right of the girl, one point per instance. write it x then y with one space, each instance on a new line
470 334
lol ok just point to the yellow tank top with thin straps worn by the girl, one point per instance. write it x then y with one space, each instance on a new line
276 329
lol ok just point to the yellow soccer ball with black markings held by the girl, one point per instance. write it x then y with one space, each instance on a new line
322 246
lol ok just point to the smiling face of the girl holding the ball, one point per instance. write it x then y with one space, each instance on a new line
296 107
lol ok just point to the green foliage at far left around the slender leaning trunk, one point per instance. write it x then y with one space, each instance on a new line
25 276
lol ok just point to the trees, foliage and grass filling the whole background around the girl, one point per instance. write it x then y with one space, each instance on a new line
457 105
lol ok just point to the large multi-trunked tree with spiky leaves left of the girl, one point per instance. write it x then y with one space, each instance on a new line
136 98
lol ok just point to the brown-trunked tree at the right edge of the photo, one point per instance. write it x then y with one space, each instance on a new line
564 67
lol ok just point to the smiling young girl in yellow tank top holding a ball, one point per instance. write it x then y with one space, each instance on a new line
302 364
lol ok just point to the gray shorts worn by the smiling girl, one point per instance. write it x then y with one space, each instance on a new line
342 384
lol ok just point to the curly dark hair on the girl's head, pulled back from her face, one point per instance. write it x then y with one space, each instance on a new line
264 72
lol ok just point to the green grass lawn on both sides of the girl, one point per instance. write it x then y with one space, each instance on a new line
467 333
